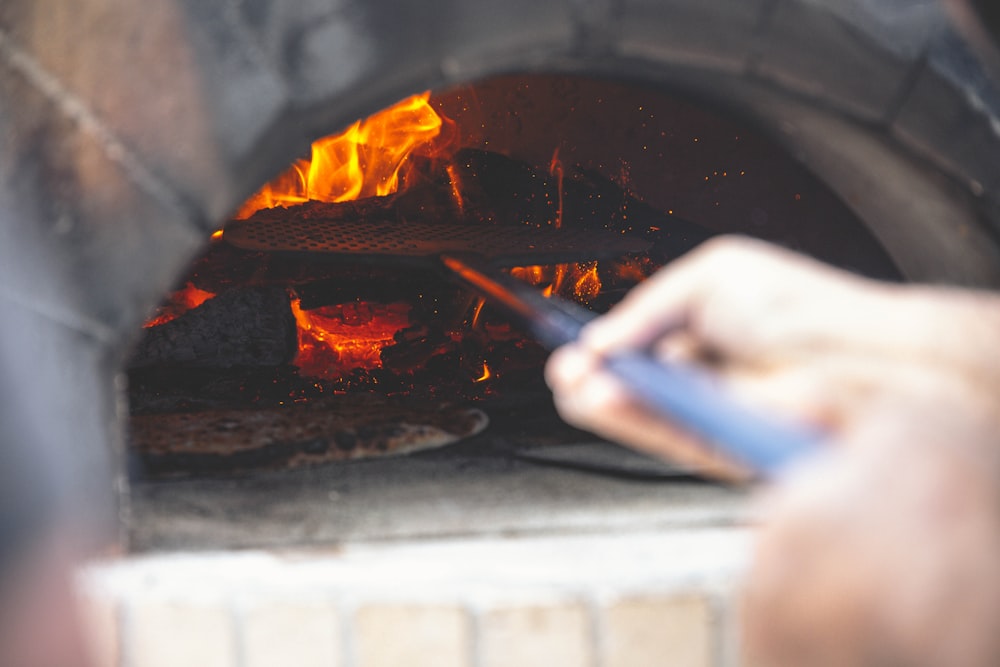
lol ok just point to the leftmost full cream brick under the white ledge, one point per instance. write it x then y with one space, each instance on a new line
170 634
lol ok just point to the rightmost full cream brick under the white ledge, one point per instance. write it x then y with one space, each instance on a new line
658 631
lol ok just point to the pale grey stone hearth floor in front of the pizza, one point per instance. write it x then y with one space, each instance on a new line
476 488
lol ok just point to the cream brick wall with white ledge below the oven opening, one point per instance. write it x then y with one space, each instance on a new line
609 600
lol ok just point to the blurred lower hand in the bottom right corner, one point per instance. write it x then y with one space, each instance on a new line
884 552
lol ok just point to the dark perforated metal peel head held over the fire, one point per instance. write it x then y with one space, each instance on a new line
503 245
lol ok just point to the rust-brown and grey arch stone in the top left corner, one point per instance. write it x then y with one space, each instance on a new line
176 82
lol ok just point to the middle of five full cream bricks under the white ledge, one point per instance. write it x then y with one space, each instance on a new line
412 636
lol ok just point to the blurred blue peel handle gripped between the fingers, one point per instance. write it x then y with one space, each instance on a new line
693 400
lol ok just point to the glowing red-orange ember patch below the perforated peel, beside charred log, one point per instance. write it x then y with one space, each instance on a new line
335 340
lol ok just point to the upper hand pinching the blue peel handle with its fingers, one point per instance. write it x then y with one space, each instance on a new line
789 335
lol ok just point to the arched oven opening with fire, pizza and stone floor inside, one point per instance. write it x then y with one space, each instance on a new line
318 375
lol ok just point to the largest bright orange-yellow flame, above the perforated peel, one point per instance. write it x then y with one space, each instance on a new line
362 161
